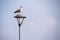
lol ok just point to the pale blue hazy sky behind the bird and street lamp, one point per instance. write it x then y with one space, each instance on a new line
41 22
